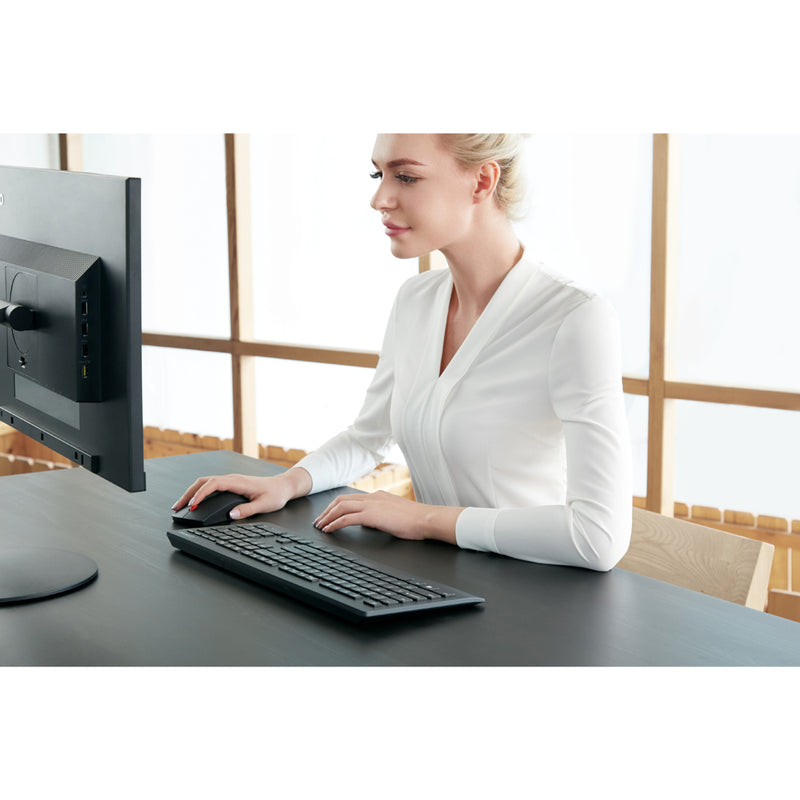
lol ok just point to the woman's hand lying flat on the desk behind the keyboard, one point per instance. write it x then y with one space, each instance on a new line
399 516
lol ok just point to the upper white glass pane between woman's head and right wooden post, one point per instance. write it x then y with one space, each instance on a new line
590 217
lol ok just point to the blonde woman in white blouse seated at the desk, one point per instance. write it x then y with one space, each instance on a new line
500 381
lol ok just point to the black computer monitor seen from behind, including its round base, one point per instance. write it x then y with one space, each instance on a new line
70 340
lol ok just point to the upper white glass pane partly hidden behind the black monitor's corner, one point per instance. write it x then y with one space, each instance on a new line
184 225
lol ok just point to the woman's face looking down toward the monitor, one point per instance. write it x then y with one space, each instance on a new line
424 196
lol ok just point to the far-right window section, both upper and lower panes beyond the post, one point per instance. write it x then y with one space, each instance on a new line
736 323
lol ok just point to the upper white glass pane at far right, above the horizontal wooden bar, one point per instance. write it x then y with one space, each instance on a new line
739 261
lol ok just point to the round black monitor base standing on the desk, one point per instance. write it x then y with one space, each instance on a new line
35 573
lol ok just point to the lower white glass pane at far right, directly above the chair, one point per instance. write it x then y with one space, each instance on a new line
737 458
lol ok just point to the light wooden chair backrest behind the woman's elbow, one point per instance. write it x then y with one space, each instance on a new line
697 557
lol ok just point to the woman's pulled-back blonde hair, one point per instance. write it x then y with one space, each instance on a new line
473 149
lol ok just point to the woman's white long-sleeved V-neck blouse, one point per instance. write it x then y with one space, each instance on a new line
525 428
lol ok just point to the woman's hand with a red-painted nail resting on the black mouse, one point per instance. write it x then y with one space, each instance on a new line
264 494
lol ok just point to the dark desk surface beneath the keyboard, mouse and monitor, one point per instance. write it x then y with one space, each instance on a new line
152 605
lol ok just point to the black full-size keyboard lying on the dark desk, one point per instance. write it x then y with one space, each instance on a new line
329 578
